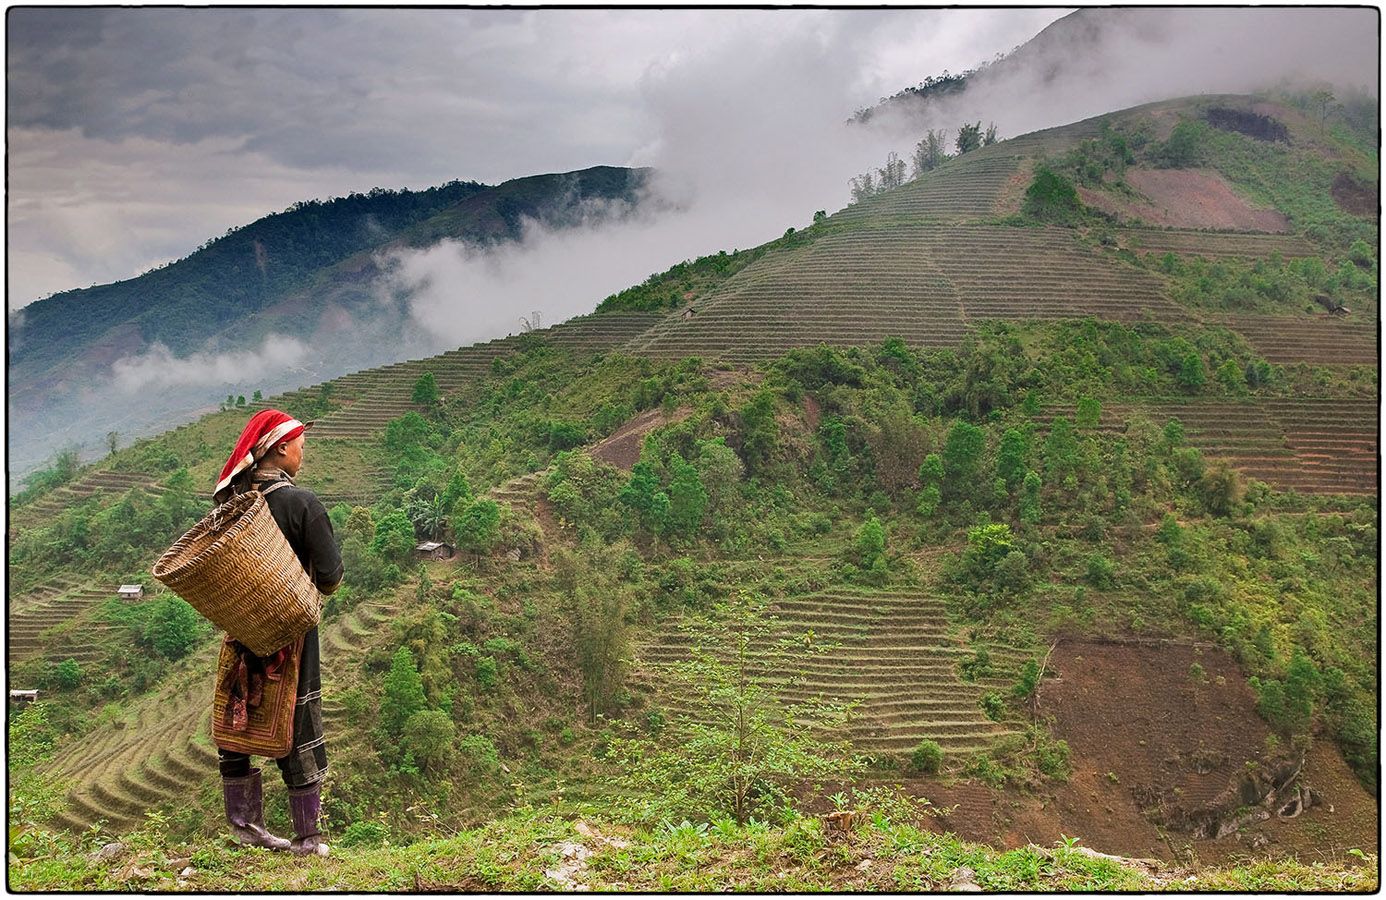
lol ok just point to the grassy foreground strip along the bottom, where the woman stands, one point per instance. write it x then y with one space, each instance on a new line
545 851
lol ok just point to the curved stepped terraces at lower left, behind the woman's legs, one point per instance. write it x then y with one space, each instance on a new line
161 754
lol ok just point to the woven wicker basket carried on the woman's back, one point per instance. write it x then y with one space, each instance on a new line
238 569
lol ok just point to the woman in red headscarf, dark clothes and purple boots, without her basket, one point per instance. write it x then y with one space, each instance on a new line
267 458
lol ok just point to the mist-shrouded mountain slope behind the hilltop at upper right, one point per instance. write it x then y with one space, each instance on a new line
1103 60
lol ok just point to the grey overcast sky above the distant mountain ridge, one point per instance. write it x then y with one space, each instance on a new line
135 135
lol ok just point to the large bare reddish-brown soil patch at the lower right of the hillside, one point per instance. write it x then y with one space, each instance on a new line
1139 725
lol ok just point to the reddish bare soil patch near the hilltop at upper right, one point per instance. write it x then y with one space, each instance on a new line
1184 199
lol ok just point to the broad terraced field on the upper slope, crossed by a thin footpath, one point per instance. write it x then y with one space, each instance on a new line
922 284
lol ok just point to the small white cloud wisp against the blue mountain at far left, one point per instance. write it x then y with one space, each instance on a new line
159 368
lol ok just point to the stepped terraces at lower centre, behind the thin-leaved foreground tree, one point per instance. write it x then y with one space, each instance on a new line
895 658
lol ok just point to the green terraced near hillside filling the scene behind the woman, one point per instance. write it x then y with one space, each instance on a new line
886 494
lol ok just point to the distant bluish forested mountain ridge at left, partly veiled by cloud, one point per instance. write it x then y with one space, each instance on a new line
306 274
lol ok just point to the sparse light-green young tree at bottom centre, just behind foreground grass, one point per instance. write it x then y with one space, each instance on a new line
742 752
